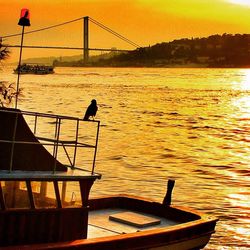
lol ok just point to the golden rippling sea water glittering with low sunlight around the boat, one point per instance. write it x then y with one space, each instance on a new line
191 125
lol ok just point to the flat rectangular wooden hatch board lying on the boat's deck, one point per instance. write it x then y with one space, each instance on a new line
135 219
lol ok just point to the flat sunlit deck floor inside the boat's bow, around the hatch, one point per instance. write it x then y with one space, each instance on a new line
100 225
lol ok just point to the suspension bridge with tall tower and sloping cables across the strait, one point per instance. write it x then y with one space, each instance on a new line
85 48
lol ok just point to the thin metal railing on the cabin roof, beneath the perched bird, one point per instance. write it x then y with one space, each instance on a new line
54 138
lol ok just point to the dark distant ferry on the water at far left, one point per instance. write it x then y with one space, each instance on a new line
34 69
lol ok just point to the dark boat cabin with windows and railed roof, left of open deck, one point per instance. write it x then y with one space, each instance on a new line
41 198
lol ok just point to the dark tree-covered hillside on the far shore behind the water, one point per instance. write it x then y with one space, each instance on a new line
225 50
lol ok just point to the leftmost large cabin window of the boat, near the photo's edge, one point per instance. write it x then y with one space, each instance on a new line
15 194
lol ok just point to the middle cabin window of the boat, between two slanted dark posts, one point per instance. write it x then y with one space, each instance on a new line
44 194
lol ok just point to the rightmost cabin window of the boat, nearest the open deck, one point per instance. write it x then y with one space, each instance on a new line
70 193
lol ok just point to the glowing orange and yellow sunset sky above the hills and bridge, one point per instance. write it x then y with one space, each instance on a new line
145 22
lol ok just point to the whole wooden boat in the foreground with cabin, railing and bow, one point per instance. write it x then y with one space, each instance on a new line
44 203
